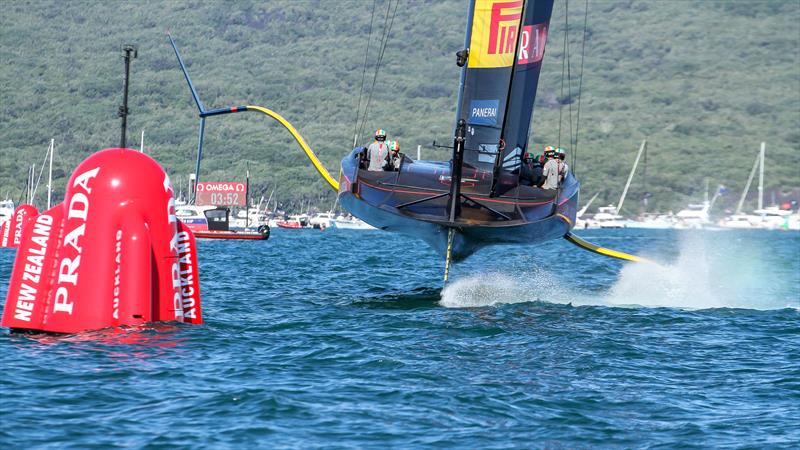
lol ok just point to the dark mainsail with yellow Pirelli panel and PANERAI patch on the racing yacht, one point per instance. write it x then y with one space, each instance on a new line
506 41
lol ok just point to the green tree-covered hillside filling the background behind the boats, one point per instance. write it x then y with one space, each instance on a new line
704 81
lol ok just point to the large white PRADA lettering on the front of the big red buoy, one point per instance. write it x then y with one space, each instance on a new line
75 228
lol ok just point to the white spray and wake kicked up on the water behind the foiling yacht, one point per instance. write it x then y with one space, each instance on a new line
708 273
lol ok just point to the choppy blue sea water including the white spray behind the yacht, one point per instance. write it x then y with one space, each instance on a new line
344 339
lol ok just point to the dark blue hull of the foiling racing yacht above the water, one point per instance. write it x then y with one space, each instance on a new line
413 201
